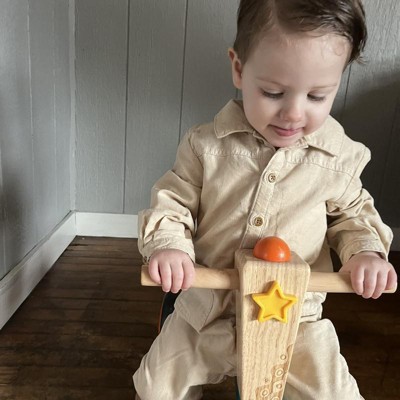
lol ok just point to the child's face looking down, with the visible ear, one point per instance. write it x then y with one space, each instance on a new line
289 84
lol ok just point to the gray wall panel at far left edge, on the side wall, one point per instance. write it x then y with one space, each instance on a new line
15 127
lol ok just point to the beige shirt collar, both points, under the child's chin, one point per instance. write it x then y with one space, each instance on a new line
231 119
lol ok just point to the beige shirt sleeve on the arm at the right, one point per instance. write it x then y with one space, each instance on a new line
354 224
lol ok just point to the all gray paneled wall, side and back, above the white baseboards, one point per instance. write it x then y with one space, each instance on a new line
146 70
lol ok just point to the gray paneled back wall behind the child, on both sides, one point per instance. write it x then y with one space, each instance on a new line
147 70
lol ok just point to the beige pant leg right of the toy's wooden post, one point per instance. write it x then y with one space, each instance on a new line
318 371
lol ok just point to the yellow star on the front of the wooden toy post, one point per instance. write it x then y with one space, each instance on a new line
274 304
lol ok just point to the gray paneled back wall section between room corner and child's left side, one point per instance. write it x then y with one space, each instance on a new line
146 70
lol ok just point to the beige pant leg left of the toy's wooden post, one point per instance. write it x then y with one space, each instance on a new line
181 360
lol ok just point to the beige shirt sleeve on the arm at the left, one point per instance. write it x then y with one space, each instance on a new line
170 220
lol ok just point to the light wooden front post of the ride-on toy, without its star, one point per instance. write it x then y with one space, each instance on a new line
265 348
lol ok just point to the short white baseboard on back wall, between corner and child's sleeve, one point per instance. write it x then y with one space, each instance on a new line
107 225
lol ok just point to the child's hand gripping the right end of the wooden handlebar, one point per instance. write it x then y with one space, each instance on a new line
370 274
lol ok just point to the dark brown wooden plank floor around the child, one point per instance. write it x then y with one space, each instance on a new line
84 329
